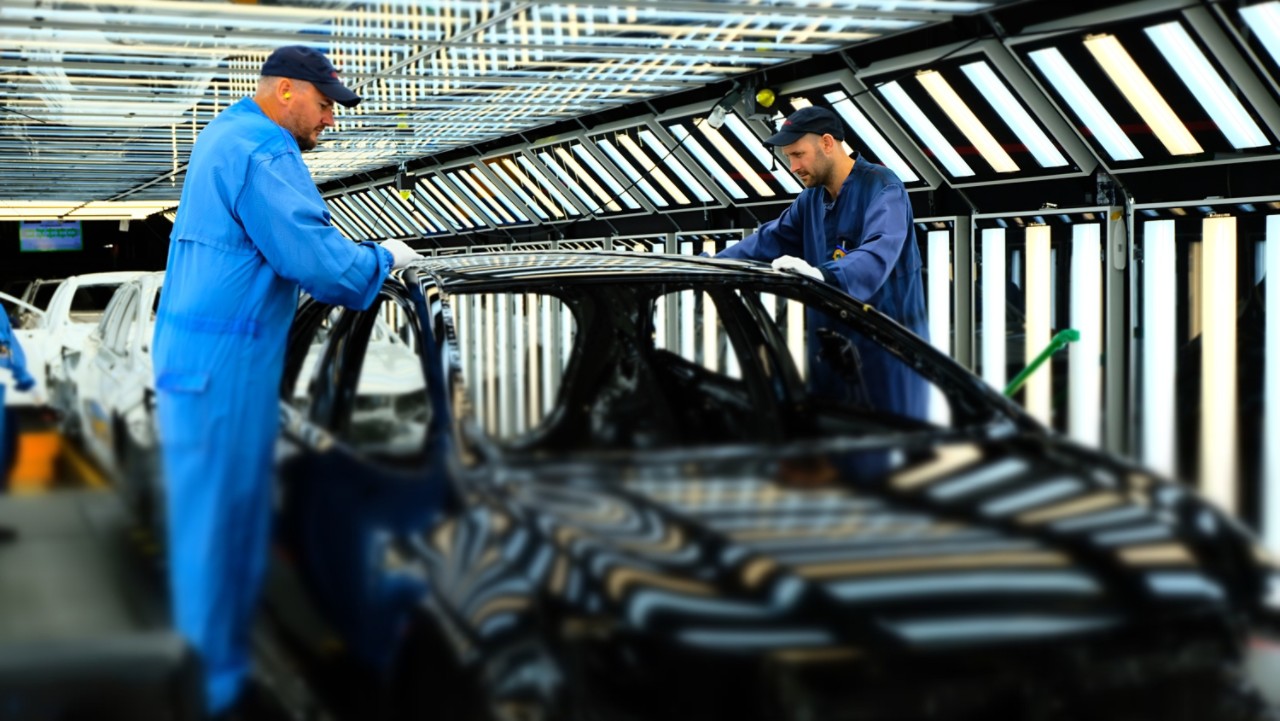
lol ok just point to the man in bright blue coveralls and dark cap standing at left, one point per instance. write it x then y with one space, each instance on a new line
252 231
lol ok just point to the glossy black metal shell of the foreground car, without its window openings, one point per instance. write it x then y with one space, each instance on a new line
991 541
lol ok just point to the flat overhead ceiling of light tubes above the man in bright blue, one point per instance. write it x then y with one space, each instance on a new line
131 85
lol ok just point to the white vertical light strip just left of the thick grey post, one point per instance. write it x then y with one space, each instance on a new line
1085 367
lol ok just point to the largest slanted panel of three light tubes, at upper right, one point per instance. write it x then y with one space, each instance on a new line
1150 93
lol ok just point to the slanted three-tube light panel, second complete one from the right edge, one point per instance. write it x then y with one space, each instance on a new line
964 113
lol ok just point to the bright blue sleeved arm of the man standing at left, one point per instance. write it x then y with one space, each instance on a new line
286 217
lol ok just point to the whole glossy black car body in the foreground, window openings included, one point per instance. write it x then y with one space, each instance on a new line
611 494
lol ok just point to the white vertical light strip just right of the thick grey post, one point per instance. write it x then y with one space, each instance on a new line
1159 348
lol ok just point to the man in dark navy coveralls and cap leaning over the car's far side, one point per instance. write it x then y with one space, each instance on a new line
851 227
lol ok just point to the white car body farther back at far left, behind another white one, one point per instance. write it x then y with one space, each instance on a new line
53 332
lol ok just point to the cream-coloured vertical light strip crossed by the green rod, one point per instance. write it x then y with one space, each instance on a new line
1040 293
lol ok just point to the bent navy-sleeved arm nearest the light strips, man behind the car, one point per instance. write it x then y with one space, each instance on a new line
885 230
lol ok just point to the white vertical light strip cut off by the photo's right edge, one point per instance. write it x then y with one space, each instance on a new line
1272 399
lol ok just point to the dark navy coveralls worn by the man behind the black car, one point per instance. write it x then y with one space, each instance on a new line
871 223
